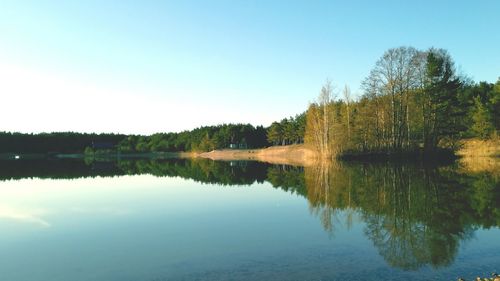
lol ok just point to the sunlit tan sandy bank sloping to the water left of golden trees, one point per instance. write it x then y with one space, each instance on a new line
297 155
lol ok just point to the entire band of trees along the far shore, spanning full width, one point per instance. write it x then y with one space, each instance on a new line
412 101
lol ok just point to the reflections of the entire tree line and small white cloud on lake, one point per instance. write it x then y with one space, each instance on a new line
415 215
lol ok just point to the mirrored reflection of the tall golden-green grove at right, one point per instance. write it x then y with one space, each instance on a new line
414 215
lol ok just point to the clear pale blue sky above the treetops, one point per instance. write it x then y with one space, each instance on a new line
157 66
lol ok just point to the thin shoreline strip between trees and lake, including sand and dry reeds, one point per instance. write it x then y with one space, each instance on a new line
472 152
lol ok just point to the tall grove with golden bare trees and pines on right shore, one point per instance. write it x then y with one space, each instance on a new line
412 100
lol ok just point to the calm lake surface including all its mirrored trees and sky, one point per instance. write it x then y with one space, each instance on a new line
203 220
